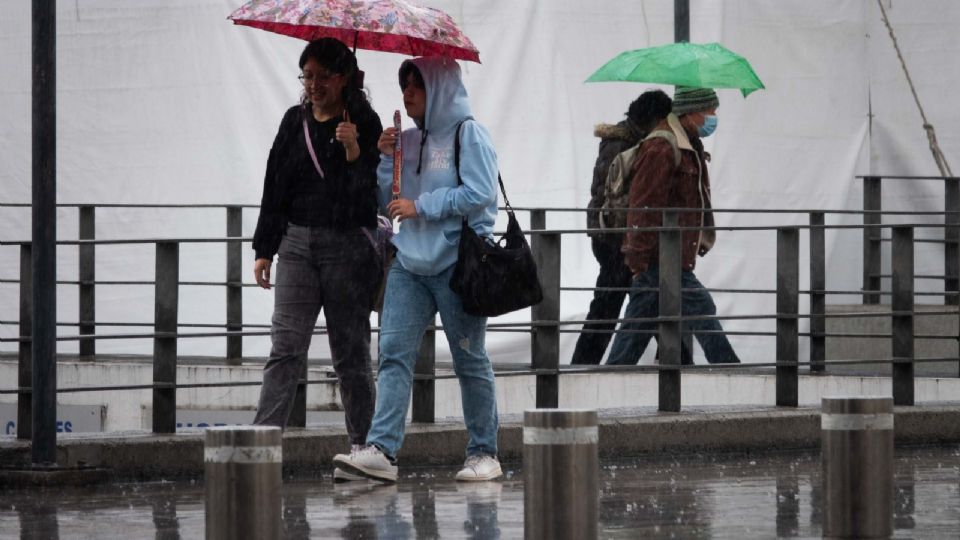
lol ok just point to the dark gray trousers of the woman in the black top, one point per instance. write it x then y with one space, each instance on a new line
339 272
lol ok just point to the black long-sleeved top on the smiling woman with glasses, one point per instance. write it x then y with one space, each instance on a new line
294 192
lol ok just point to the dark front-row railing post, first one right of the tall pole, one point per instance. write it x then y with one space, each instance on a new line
166 301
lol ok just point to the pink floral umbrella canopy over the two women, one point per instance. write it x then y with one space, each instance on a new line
378 25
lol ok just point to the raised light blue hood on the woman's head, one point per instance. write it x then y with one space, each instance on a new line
447 102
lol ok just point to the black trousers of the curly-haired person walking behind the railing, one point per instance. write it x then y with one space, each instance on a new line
606 305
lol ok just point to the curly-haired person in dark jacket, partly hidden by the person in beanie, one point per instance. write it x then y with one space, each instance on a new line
644 112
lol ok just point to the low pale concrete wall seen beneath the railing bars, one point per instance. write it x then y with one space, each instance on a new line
130 410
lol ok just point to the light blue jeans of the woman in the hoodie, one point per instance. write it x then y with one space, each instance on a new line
410 303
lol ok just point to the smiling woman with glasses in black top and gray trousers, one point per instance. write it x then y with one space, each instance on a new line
319 196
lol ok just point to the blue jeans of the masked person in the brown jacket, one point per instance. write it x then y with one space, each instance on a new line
627 347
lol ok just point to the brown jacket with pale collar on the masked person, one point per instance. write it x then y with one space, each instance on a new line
658 182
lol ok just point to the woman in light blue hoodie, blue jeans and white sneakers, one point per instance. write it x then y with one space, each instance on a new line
430 208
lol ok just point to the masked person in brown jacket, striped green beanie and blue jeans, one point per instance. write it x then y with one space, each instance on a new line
661 180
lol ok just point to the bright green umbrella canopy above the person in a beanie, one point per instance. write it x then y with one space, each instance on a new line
707 65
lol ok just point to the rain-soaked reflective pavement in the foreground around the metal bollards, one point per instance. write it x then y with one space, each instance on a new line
695 496
